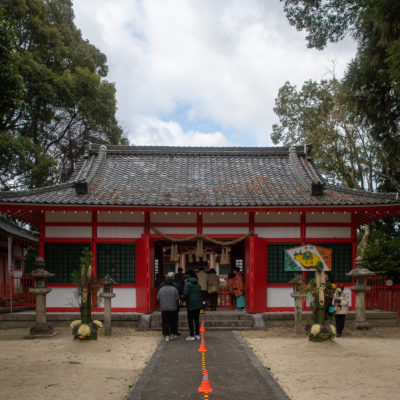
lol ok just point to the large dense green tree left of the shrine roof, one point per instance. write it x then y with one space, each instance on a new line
58 94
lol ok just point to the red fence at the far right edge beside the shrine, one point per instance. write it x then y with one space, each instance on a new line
381 296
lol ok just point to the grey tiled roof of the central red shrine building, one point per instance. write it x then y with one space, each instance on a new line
197 177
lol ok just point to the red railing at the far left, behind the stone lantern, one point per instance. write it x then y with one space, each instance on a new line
17 294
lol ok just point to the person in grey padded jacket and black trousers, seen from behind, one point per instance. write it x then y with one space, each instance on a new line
168 298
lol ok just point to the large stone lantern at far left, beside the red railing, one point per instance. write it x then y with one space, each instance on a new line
40 290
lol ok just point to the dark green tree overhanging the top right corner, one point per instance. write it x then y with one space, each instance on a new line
373 78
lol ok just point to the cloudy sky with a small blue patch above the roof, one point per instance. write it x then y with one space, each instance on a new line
201 72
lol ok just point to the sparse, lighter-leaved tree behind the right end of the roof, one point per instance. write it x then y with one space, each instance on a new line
319 113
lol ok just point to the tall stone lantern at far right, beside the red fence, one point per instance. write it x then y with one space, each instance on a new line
360 275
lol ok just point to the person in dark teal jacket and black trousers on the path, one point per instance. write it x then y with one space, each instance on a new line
194 301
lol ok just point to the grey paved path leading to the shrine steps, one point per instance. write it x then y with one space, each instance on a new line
235 373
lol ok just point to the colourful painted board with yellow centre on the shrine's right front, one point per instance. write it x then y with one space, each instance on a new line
305 258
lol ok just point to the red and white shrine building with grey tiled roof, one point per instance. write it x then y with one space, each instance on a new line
145 211
